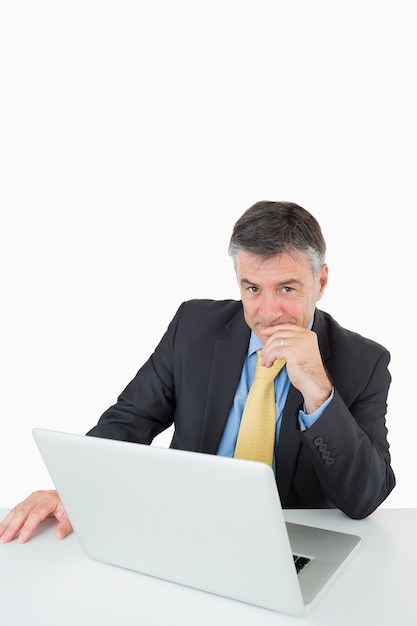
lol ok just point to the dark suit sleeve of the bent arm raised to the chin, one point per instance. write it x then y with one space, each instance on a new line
348 444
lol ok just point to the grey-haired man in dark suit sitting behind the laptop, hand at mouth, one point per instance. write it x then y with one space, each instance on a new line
331 446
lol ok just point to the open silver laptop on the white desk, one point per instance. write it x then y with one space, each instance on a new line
207 522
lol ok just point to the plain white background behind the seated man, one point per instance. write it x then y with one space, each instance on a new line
134 134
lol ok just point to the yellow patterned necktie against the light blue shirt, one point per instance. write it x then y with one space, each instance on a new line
256 438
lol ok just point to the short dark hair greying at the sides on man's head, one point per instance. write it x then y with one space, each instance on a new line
270 228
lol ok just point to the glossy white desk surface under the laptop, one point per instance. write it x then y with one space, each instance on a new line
50 582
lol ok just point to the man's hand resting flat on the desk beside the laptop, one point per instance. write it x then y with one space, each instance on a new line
22 520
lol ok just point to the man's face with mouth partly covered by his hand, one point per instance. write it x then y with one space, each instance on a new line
278 291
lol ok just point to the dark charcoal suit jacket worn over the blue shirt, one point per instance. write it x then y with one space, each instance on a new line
342 461
